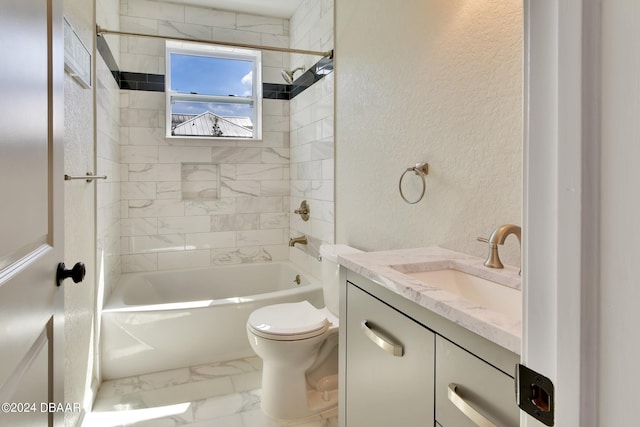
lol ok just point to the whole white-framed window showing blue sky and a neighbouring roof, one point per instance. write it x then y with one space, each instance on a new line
213 91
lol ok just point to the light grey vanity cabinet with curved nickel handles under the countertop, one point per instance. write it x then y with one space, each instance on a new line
439 371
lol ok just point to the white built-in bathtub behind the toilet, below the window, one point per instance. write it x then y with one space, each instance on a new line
173 319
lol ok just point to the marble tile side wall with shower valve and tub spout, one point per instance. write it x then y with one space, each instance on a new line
312 138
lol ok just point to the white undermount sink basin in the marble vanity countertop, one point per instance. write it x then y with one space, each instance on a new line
490 295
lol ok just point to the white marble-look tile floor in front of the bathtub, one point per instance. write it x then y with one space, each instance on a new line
225 394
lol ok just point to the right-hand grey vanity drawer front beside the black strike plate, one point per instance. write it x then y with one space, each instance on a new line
490 392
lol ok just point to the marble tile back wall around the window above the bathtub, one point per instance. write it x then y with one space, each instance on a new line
165 224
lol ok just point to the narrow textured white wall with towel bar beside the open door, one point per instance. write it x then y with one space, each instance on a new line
79 299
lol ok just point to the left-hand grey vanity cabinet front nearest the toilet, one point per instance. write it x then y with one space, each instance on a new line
386 388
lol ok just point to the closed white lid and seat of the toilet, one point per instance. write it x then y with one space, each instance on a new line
287 320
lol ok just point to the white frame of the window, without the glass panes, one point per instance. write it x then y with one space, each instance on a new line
216 51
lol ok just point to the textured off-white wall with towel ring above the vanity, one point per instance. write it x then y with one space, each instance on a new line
437 81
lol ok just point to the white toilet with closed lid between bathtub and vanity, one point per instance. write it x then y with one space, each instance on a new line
298 344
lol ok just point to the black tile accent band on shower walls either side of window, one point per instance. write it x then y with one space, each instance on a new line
155 82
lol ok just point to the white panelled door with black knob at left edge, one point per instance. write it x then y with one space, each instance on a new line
31 211
